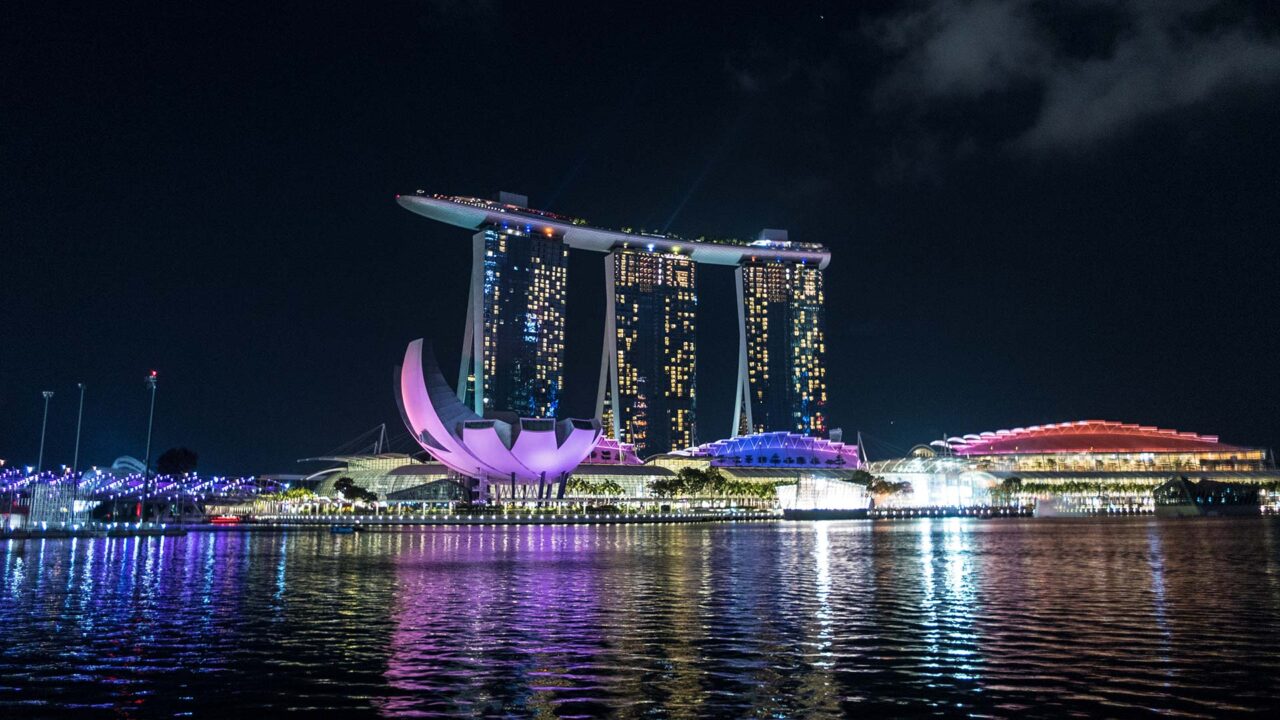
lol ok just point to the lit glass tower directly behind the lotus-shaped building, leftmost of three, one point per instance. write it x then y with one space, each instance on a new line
514 344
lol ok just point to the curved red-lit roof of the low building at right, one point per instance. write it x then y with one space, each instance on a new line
1085 436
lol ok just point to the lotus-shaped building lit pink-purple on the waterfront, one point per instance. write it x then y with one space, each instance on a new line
511 458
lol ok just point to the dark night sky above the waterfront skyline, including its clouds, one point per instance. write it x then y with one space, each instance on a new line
1039 212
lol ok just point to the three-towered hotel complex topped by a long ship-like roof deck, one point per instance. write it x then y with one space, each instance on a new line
514 347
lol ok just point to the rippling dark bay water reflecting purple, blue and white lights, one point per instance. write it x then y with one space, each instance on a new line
1004 618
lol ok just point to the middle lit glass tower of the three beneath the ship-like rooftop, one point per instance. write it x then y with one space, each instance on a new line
647 394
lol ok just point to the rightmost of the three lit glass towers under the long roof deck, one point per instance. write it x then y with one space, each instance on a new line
781 376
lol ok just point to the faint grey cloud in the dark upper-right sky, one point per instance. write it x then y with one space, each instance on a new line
1098 69
